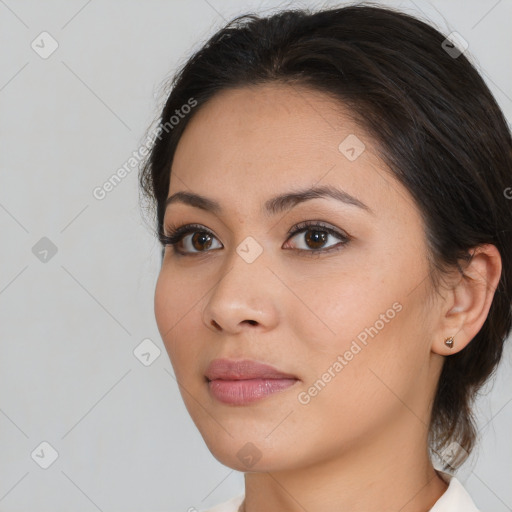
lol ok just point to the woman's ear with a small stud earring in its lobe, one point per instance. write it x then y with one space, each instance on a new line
468 300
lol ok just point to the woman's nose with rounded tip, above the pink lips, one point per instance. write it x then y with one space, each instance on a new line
243 297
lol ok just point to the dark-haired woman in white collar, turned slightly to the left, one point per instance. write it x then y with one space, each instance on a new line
336 280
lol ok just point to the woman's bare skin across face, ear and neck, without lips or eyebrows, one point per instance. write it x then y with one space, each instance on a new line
360 444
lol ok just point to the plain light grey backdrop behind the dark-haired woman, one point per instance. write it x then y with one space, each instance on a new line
77 274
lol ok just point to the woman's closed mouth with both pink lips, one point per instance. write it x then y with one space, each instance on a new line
246 381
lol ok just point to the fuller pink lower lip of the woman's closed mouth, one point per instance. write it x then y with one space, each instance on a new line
240 392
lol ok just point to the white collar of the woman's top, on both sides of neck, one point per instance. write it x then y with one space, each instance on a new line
454 499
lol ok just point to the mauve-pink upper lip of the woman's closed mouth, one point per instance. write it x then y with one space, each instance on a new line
230 369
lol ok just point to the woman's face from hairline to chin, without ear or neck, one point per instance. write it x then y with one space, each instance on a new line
338 304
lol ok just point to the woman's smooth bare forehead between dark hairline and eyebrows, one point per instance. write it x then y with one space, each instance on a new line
248 144
